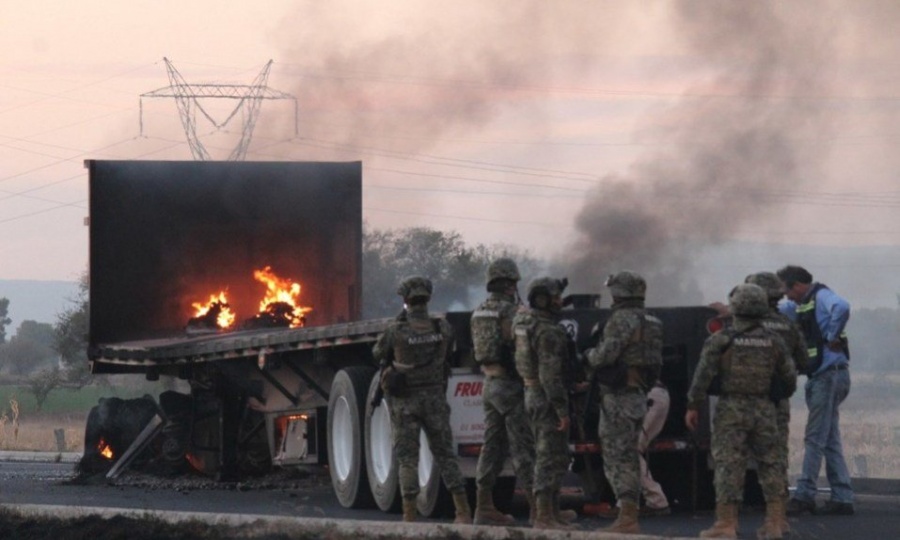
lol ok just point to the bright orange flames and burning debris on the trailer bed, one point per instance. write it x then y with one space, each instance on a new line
279 308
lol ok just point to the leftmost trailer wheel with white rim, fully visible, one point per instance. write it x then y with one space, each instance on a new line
346 411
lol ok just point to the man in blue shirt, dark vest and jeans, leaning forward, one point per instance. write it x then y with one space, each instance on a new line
821 315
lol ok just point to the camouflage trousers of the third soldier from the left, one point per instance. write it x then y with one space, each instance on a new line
551 447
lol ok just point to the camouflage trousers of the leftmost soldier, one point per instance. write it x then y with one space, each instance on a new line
423 410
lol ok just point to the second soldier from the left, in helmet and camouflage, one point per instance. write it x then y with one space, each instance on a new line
507 429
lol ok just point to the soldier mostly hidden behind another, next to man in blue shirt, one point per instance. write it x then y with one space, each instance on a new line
796 343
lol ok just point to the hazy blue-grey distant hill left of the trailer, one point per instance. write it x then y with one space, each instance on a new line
39 301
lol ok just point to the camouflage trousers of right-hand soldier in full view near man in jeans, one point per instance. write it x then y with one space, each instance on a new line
745 427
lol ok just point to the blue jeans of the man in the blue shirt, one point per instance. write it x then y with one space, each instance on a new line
824 394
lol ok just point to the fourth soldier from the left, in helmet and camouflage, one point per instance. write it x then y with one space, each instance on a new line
627 364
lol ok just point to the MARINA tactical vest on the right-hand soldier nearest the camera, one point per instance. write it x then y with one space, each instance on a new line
748 363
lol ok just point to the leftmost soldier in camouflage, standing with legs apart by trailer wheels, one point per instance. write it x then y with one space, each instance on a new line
413 353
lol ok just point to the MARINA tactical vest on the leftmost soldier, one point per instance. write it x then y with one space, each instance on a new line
420 350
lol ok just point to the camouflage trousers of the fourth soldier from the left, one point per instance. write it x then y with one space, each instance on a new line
621 421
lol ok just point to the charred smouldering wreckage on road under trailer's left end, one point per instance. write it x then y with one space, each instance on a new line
208 432
